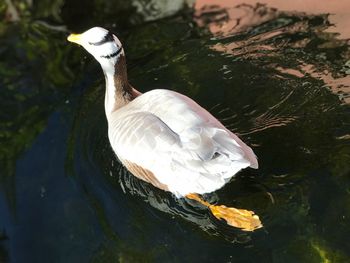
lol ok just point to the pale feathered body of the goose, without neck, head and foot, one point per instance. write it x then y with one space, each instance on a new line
179 142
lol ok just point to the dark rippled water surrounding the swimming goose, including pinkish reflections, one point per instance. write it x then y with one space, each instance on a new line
275 73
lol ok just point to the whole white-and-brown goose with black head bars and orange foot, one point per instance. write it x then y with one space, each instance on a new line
165 138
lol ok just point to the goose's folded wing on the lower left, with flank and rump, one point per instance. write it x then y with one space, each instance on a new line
201 158
